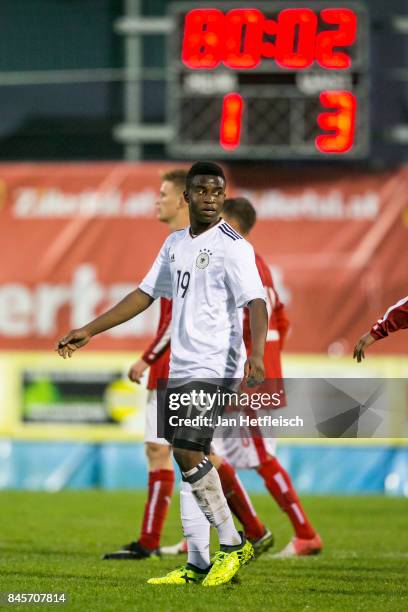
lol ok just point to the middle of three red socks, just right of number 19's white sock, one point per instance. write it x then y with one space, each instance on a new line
239 502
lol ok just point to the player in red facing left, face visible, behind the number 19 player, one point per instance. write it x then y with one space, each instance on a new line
173 210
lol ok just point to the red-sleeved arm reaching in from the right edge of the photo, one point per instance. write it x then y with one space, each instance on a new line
394 319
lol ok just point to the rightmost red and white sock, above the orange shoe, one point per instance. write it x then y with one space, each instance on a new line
280 486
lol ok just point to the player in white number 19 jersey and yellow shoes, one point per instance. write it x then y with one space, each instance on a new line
209 272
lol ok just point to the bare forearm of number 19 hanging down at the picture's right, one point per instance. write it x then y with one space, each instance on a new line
258 321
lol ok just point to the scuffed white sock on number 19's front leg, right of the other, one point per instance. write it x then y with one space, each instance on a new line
208 492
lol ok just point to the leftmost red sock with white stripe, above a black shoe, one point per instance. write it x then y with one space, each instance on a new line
161 484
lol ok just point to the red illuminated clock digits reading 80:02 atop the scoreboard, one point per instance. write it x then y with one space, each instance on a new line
236 39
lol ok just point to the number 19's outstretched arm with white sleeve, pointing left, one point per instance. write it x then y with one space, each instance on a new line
156 283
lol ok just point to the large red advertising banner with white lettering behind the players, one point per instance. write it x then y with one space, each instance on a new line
76 237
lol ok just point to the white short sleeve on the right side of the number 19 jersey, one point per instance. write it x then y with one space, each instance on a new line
242 274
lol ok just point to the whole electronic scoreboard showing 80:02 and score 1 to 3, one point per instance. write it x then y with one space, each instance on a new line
269 80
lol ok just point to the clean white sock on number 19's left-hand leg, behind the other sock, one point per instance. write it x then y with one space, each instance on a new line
196 528
